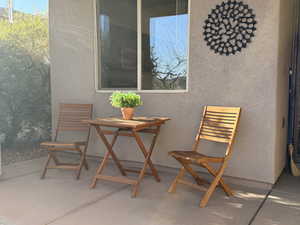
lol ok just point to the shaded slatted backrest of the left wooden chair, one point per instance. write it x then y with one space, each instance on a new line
71 116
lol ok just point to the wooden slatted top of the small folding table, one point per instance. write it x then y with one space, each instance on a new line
135 123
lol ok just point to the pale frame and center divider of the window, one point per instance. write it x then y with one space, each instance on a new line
97 56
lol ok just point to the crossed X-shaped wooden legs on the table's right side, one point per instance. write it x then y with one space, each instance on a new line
147 155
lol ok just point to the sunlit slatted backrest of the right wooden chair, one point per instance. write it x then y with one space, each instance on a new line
219 123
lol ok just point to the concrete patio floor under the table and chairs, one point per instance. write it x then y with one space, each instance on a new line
62 200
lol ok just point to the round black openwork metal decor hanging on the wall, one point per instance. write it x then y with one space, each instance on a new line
229 27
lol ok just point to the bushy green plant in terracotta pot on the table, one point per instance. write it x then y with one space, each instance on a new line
127 102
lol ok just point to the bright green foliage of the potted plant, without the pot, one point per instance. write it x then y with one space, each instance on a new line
125 100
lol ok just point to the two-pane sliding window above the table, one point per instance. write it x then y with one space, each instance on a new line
142 44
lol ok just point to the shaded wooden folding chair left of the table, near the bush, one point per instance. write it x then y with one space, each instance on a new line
69 119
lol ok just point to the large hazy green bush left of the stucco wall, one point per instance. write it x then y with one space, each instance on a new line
25 104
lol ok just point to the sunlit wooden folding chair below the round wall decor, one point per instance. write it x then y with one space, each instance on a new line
218 124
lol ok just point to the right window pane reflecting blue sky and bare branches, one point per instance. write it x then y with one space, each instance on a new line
164 44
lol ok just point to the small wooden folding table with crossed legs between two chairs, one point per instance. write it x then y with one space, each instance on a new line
129 128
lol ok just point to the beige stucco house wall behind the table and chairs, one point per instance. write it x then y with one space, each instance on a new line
248 79
